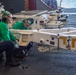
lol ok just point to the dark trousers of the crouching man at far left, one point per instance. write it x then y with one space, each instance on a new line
8 47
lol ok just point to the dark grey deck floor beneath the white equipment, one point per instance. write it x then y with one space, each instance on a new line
55 62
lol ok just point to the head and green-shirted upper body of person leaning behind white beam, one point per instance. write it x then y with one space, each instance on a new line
24 24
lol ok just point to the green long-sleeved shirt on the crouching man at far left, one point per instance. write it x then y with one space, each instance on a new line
5 34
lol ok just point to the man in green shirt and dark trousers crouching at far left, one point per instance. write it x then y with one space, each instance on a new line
7 41
